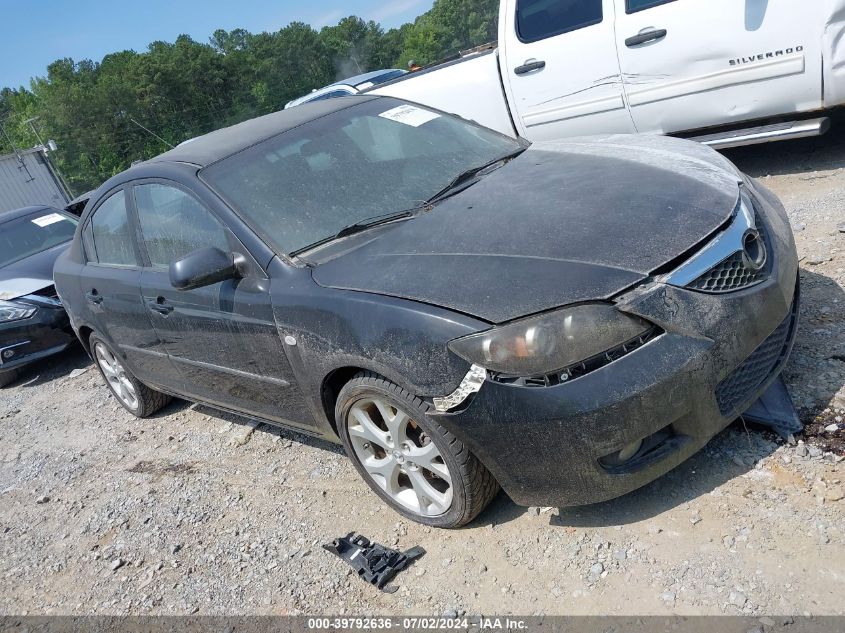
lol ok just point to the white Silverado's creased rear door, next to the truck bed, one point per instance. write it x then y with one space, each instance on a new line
560 68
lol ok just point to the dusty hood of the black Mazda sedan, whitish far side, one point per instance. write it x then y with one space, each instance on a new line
562 223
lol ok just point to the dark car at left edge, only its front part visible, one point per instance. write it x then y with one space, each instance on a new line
33 323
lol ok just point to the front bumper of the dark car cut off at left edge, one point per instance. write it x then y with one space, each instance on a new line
25 341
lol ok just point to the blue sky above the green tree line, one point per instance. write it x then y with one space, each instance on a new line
35 33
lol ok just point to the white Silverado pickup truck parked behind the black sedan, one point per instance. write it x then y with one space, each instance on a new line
725 72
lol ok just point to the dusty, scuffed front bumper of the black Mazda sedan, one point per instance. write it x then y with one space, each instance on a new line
717 356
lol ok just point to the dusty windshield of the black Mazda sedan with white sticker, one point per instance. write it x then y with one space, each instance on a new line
374 158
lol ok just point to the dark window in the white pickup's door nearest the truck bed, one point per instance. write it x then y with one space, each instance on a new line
539 19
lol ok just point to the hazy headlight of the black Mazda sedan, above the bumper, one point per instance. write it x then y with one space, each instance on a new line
550 342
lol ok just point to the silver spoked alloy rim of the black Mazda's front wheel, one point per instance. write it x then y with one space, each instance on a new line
399 457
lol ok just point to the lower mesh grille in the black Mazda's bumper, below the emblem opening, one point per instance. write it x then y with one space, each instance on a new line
753 372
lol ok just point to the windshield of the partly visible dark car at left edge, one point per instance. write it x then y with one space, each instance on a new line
33 233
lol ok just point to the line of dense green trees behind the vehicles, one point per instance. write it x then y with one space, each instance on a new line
131 106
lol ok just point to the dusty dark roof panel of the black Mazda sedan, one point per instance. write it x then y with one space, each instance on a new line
217 145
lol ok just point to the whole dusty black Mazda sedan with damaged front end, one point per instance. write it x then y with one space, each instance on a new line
461 310
